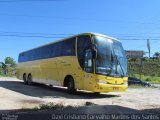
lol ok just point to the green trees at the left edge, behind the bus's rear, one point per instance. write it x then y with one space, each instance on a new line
8 67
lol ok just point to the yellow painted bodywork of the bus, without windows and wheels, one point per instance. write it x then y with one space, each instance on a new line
59 67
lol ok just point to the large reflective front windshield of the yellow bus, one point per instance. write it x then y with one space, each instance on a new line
111 59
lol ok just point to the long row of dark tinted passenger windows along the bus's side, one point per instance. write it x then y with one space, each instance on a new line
63 48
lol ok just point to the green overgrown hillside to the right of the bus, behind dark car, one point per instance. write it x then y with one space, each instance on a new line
150 69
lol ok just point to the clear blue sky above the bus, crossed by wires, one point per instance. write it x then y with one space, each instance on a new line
25 24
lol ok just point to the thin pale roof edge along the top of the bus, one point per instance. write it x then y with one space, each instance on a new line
86 33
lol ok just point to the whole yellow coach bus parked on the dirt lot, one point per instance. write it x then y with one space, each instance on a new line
87 61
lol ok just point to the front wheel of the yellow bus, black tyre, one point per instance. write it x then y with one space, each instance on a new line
70 86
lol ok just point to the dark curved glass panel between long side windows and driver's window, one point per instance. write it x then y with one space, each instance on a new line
83 42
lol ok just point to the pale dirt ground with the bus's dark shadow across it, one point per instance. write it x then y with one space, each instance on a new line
15 95
